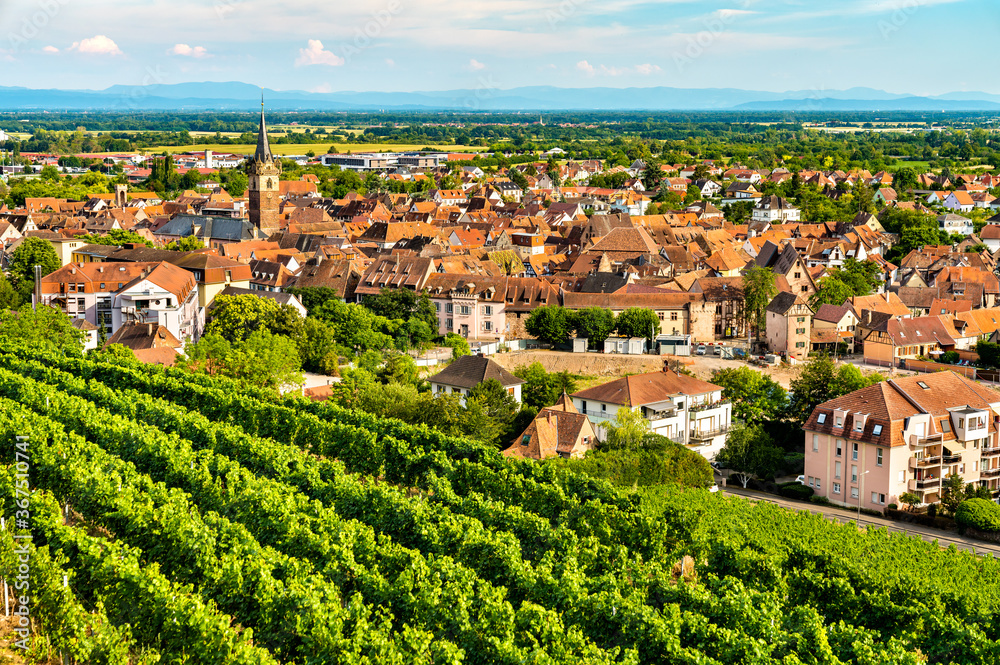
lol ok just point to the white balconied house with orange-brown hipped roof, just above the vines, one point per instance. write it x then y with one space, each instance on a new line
683 409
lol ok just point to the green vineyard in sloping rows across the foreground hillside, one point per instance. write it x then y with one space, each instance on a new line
182 518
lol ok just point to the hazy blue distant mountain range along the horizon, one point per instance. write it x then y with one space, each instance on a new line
234 96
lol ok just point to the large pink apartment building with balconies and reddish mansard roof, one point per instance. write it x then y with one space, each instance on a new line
903 435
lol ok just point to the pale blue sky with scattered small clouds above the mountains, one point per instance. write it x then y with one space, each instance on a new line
902 46
